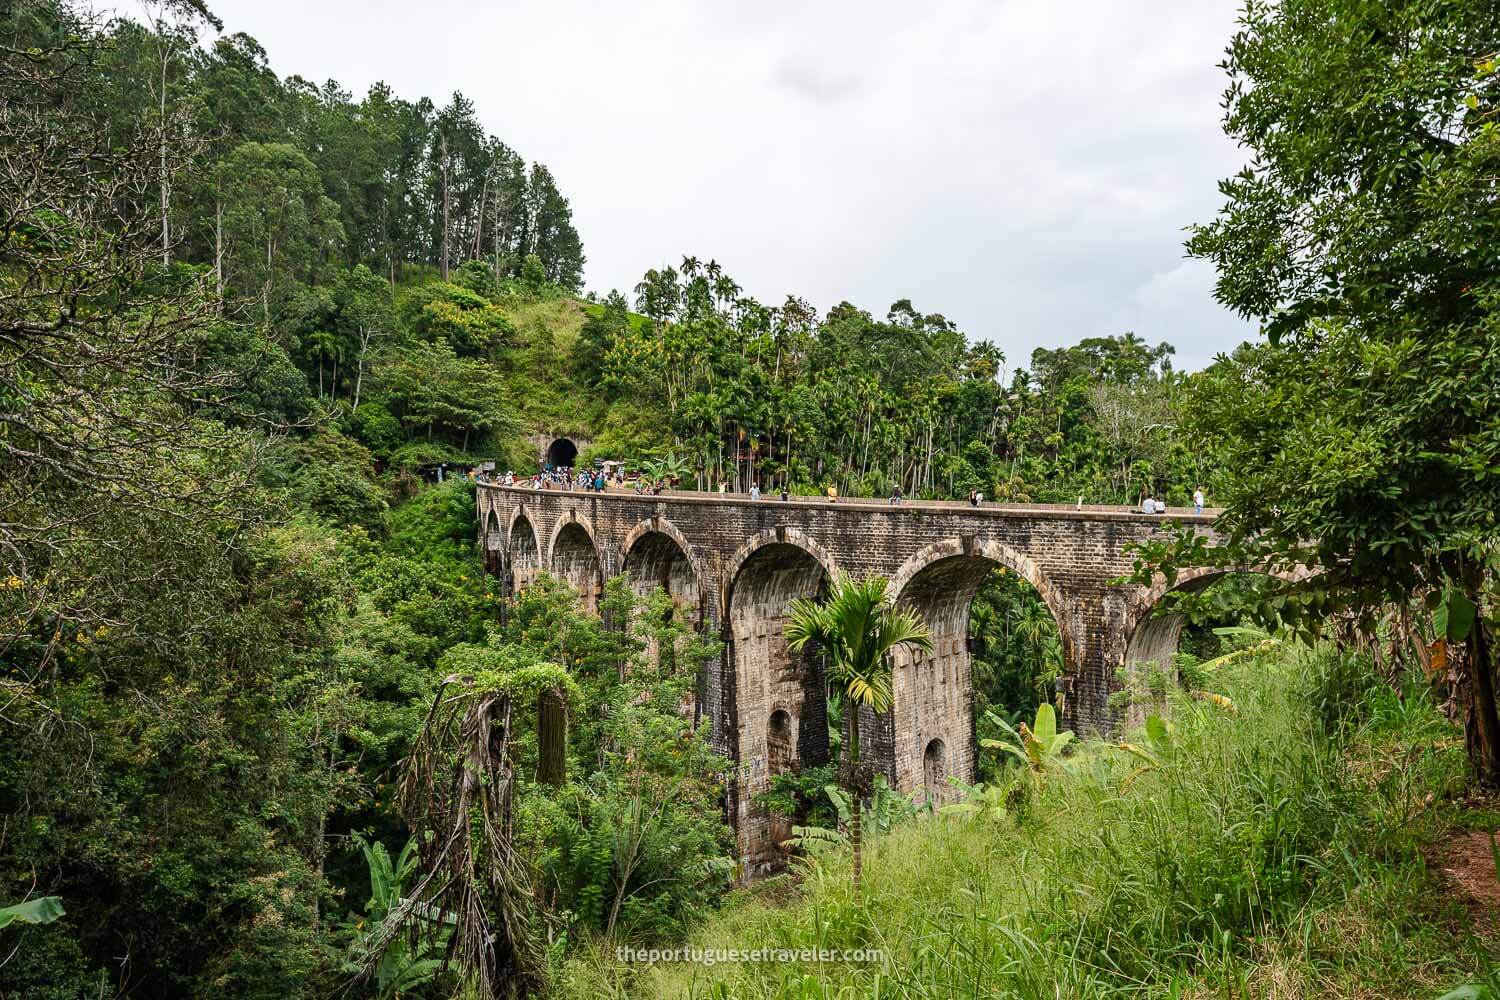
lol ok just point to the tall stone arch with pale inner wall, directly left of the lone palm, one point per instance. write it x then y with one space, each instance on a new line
767 680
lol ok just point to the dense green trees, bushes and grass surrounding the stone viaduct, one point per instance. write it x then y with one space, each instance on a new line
245 636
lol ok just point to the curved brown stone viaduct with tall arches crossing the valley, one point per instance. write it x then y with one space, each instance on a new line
736 564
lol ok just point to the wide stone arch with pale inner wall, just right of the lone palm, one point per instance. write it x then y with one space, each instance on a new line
935 692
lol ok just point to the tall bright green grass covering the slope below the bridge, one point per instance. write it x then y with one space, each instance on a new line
1273 854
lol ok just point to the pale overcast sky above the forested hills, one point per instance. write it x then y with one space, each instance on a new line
1025 169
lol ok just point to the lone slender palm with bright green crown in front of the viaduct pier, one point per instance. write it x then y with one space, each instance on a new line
859 629
